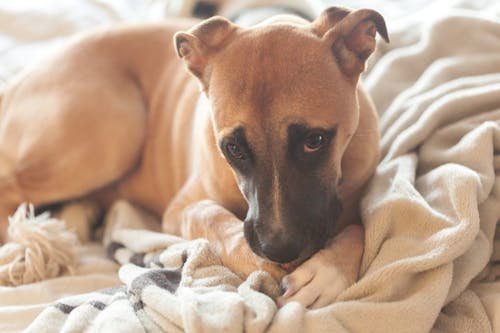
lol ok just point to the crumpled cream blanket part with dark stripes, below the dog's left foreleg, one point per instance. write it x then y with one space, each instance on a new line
165 280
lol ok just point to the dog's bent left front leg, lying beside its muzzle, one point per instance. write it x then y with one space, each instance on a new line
209 220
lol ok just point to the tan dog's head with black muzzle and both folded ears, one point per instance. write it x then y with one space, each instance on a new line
284 108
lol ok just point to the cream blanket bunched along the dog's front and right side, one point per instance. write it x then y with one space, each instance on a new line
432 249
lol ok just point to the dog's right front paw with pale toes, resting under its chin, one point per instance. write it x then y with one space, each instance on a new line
318 281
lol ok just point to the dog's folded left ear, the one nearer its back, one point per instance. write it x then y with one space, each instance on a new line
197 45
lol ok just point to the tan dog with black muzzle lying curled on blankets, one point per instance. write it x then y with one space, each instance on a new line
263 145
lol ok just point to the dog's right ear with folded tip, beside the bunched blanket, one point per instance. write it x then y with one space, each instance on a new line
351 36
